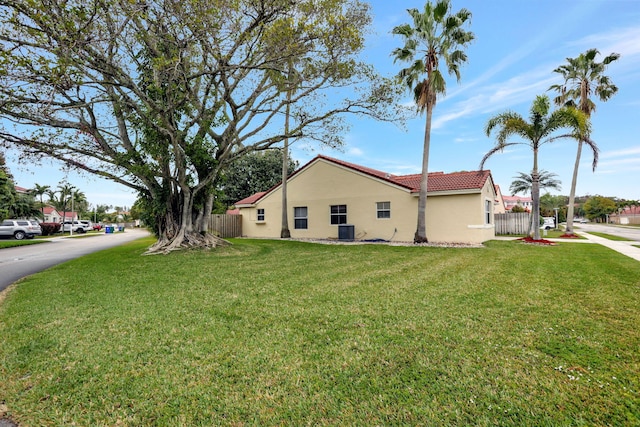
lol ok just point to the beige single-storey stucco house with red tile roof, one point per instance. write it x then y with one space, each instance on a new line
328 198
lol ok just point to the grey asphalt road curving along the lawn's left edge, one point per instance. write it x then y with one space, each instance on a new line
22 261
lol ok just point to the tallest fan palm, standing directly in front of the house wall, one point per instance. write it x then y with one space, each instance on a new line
436 35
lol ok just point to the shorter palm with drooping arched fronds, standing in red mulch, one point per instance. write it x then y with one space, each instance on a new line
538 131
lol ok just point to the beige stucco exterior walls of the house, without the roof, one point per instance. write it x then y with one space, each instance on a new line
450 218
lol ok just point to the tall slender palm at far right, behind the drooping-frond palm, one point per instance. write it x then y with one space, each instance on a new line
582 76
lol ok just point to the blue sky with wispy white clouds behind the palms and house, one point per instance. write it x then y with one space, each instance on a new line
518 45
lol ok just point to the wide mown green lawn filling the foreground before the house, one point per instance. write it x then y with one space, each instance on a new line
290 333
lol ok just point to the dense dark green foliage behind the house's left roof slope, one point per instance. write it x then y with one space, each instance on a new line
253 173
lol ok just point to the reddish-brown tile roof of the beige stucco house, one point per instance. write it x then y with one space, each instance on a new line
437 181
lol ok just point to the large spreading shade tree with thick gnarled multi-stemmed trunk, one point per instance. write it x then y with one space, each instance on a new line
160 96
